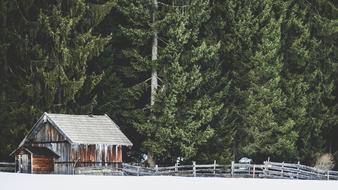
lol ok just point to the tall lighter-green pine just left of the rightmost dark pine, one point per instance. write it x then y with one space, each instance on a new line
270 132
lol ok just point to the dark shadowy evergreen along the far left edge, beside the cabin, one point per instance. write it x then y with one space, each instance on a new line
13 112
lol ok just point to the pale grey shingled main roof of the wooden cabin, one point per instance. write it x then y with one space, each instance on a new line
89 129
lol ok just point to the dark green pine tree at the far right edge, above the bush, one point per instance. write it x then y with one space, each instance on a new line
310 69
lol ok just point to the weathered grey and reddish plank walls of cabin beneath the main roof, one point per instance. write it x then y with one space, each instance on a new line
74 155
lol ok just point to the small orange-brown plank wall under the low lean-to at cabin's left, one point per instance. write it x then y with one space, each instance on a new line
42 164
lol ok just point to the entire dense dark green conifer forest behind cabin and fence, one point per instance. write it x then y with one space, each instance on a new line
202 80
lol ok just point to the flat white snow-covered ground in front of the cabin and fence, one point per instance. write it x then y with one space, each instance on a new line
12 181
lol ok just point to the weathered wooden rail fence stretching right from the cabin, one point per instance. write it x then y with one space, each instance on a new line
266 170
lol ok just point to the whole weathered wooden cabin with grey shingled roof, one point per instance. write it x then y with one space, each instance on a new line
58 143
